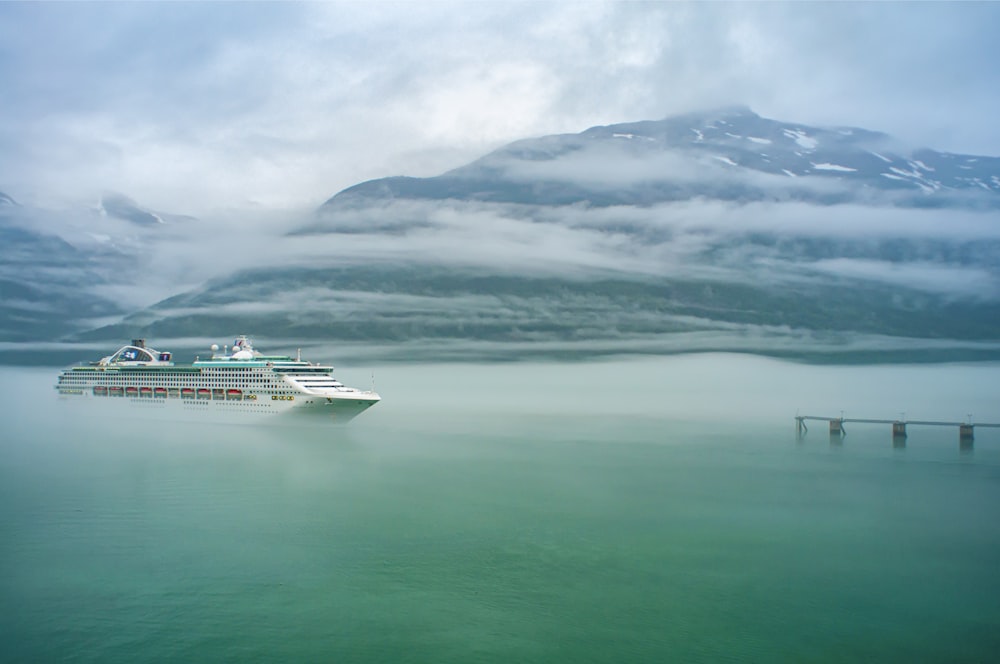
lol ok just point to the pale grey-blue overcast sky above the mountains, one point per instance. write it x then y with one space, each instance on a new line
190 107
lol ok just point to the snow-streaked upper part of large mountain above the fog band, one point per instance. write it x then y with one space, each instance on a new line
730 154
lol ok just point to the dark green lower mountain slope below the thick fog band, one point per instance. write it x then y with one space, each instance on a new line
420 312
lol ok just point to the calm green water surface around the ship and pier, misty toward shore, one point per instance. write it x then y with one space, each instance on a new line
638 510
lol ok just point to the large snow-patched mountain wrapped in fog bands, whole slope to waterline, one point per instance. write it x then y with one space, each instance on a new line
718 231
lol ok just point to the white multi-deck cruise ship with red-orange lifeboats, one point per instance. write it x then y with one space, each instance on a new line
239 381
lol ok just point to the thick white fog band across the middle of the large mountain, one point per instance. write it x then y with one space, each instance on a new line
946 252
